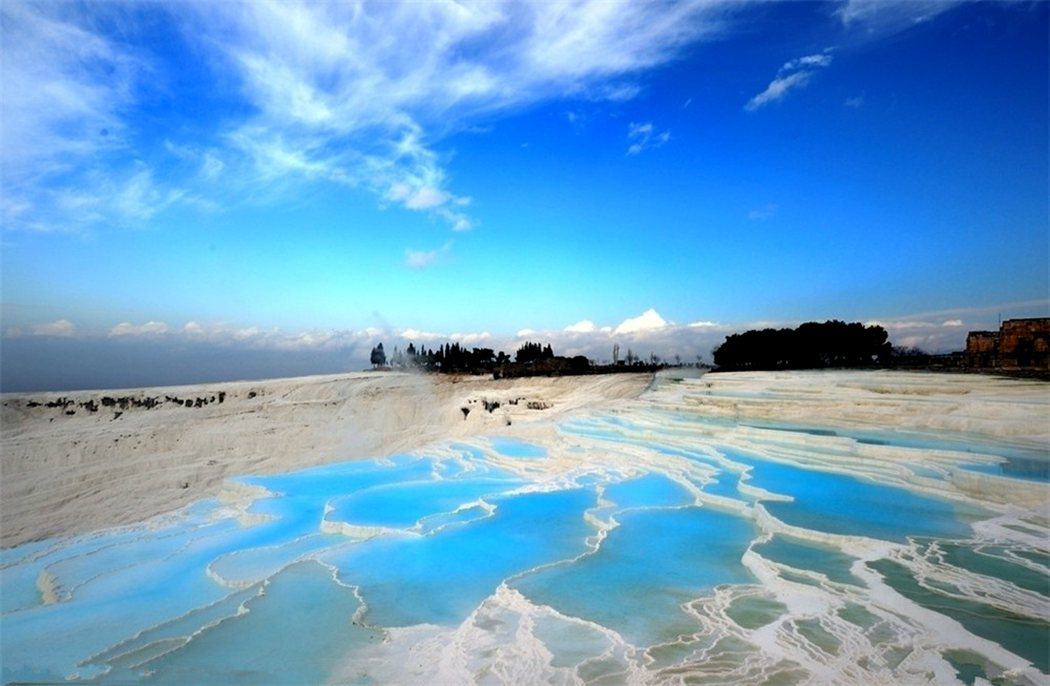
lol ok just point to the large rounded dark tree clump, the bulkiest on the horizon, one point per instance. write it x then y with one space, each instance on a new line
811 346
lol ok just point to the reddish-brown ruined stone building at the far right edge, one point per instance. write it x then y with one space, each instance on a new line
1018 345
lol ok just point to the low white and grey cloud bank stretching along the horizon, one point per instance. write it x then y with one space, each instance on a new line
58 357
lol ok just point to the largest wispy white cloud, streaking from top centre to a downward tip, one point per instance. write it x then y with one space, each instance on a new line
362 96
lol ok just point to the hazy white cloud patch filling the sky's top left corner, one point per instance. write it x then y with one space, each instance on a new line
65 139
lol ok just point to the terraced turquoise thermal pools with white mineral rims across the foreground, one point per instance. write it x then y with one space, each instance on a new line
641 545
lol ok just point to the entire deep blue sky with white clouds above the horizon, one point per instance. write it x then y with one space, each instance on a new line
322 176
